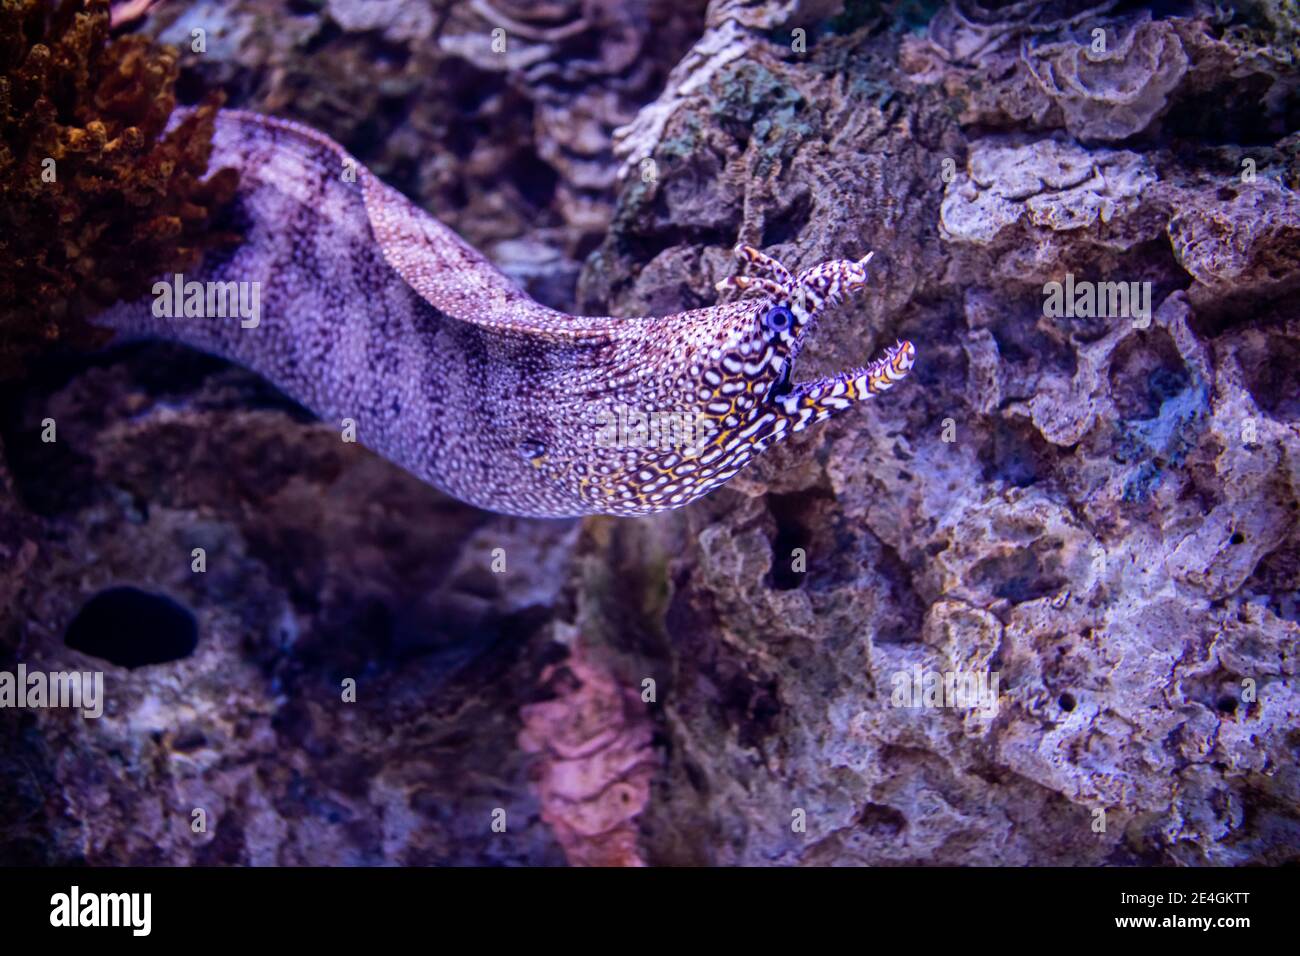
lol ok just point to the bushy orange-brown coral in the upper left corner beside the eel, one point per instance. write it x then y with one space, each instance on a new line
96 197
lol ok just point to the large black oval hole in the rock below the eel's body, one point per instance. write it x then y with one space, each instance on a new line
132 629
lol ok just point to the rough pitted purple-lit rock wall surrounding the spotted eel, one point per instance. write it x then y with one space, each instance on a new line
1100 511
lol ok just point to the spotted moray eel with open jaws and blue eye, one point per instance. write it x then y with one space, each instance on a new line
374 312
